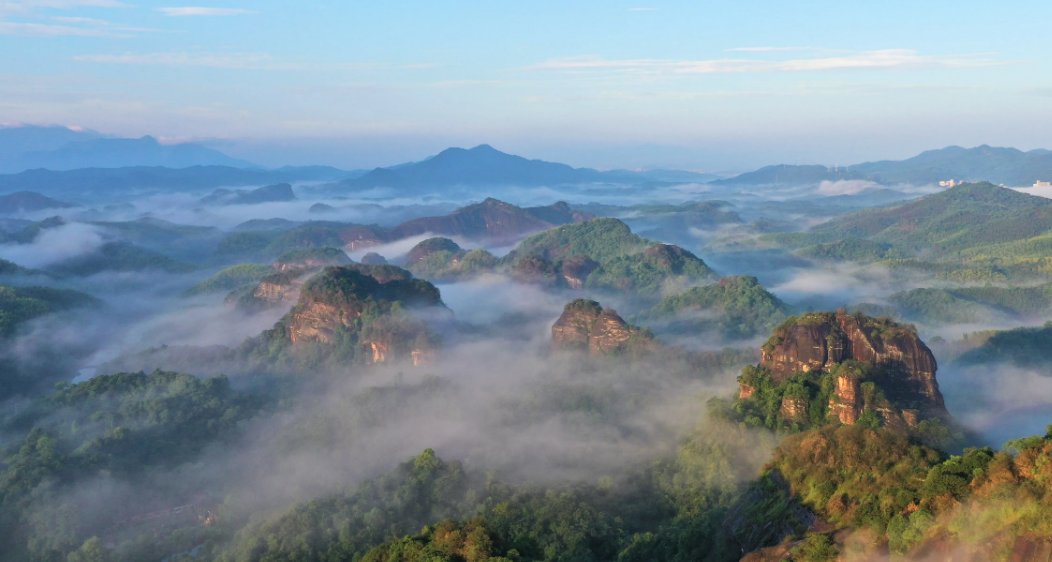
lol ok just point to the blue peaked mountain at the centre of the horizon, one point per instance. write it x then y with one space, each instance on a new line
488 167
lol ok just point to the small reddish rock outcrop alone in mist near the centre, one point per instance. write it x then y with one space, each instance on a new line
586 326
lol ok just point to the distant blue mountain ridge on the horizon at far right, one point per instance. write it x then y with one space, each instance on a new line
1009 167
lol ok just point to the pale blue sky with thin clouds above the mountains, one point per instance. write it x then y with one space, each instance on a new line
717 87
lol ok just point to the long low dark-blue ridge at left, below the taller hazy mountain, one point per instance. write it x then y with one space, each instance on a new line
111 184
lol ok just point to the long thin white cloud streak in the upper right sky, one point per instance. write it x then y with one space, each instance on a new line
891 58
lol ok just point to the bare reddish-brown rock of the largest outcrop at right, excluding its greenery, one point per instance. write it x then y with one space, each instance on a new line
902 365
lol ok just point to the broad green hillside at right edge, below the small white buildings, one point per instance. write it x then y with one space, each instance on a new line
973 233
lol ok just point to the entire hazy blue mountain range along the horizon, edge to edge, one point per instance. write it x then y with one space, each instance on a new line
92 158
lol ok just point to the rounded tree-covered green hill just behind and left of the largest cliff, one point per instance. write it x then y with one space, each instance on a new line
738 308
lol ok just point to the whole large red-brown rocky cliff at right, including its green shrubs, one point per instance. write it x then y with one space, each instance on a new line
836 367
